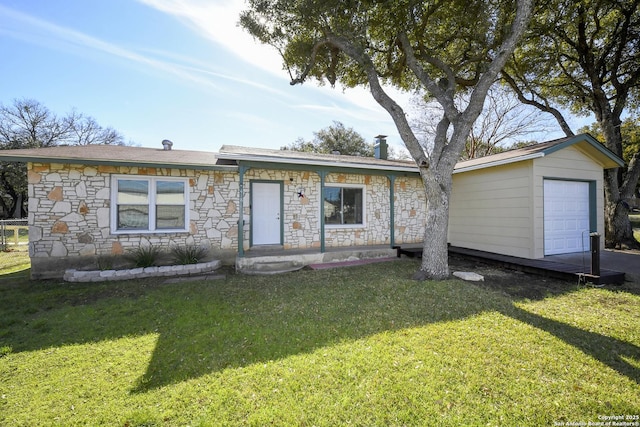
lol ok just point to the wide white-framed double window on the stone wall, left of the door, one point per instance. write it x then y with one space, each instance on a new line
149 204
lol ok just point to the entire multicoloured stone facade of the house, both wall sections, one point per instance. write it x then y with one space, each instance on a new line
70 212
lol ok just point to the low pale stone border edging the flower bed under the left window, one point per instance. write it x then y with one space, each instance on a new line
73 275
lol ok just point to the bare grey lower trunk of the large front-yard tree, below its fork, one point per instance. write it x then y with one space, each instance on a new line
435 263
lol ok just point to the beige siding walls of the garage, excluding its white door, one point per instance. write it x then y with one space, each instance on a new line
501 208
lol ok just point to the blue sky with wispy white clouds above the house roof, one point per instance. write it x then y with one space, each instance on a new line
168 69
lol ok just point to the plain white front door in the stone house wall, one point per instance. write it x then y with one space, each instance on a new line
266 213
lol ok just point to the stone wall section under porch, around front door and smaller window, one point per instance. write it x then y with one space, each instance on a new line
302 214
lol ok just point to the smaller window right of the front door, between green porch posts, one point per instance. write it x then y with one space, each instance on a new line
343 205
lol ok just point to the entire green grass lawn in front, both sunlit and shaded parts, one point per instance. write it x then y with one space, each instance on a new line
361 345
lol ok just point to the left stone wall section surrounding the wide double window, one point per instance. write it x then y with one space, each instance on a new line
69 214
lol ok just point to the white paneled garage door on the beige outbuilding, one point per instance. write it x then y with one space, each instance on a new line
566 216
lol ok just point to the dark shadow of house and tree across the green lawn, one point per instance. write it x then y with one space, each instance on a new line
207 327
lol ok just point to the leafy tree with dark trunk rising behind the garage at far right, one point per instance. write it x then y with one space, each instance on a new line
584 56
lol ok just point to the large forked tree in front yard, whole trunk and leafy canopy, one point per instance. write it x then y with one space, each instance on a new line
441 47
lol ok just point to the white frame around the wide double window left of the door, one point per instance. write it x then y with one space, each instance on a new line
152 180
